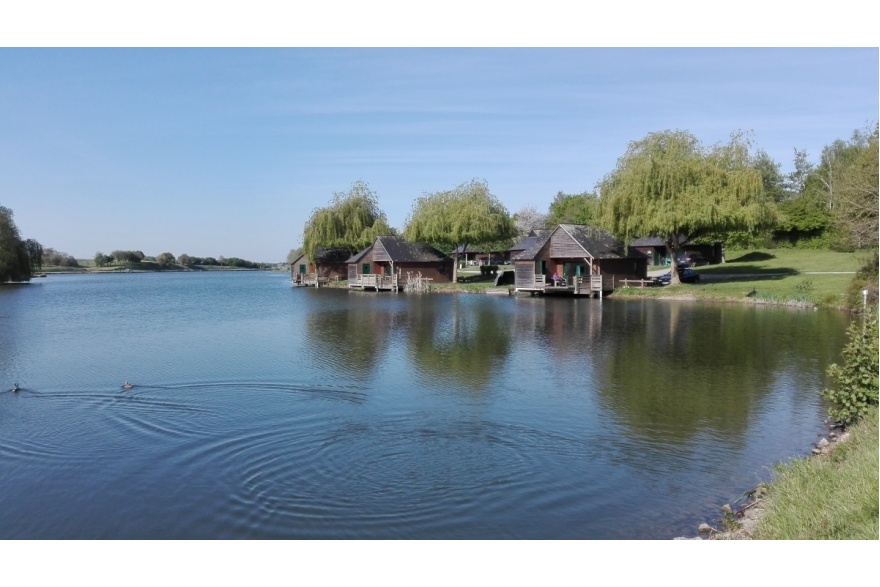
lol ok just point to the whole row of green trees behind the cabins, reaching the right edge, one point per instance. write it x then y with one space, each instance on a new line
667 185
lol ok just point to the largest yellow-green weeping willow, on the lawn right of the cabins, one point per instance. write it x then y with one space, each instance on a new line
668 185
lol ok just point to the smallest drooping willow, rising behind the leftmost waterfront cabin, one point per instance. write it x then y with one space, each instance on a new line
352 221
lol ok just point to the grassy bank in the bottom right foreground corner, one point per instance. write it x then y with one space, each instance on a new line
831 497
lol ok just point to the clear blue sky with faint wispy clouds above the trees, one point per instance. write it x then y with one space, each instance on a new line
216 152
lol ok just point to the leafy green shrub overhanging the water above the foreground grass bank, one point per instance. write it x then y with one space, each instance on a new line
857 379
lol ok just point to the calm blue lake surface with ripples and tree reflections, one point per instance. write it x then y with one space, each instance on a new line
266 411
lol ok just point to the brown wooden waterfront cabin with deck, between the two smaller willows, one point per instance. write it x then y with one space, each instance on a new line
390 262
